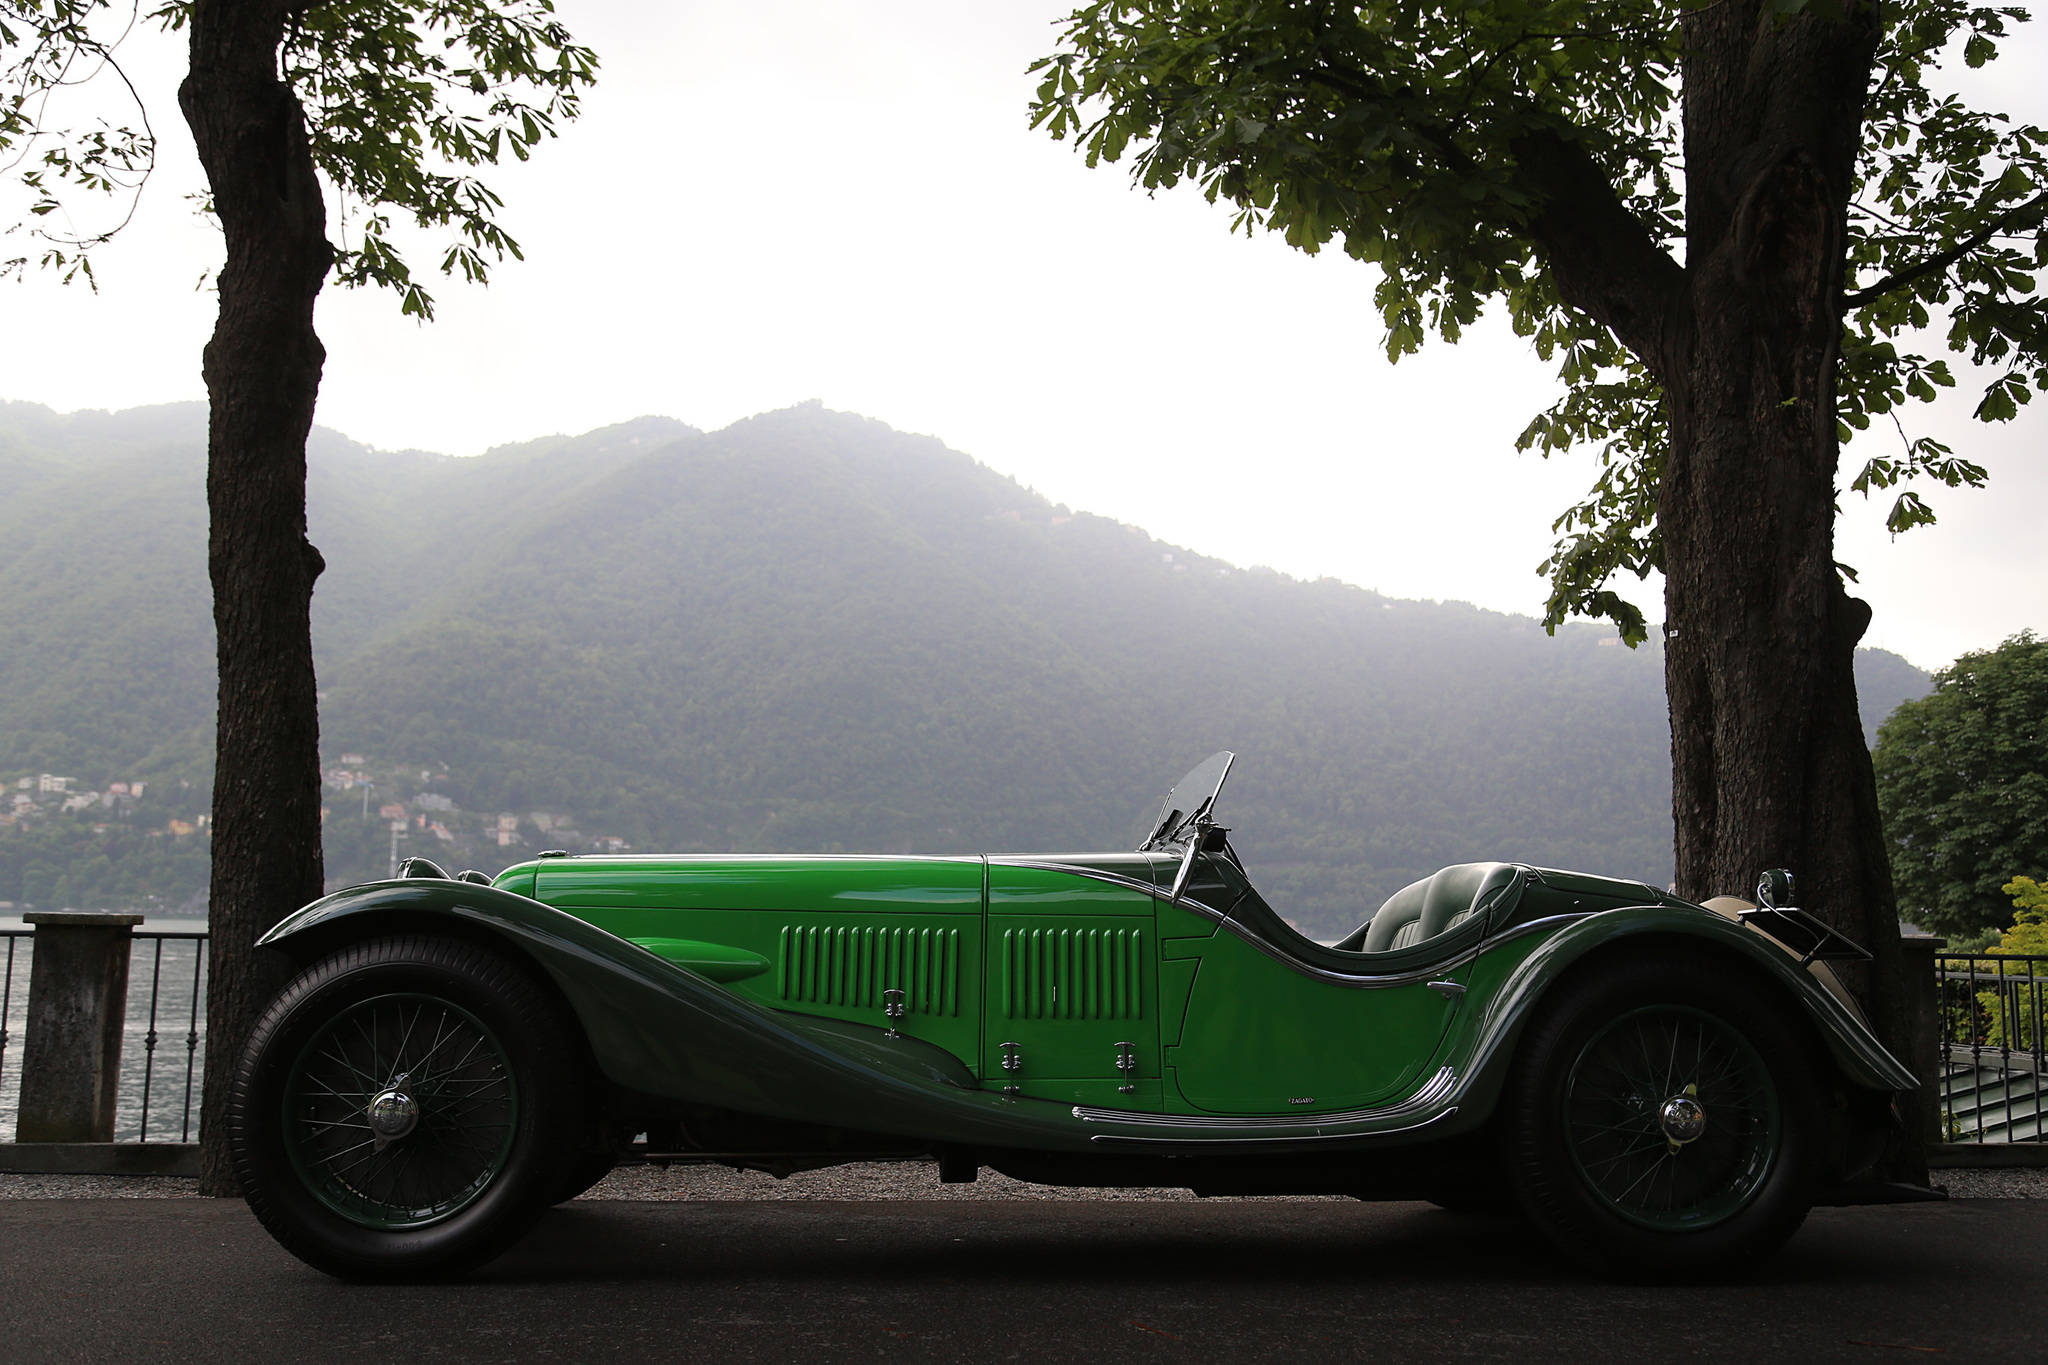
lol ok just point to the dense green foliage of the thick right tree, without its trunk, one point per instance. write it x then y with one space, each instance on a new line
1408 132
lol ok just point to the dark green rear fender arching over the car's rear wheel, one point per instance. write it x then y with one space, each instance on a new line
1494 1037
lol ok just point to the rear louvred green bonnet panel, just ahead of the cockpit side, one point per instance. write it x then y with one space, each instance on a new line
1072 992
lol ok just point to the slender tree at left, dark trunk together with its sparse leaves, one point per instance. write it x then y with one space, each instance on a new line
390 105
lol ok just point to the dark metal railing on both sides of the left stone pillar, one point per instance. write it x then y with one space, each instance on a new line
163 1055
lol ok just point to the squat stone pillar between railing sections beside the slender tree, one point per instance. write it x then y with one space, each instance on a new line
71 1057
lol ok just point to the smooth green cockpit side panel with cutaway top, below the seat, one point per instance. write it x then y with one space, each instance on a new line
1263 1034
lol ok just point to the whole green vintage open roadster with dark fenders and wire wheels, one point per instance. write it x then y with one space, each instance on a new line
1662 1088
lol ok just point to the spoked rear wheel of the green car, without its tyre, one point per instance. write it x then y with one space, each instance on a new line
1672 1118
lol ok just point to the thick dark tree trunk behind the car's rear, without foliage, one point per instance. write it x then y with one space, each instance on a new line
1768 752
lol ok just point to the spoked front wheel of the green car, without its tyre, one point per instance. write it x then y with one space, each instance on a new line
400 1112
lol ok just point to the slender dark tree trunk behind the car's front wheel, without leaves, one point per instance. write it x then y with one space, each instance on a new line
263 376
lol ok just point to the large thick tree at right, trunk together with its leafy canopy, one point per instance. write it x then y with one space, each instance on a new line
1719 220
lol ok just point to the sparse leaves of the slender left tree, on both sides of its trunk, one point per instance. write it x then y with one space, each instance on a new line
404 101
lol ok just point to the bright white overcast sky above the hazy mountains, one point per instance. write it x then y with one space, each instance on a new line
773 202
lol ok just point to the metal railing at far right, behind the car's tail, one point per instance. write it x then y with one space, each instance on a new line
1992 1014
